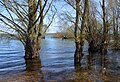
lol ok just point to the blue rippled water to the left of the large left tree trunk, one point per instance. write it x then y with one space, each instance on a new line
11 56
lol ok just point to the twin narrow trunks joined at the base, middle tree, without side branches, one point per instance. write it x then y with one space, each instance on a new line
79 41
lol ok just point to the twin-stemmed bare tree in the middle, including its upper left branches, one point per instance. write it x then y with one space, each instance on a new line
79 26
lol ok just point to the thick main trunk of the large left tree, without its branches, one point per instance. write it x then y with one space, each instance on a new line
32 45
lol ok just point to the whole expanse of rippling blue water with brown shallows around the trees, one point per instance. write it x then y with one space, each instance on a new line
56 64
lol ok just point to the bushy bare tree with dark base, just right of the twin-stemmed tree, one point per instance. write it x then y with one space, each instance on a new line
93 28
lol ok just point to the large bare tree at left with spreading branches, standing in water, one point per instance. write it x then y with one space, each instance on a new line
26 19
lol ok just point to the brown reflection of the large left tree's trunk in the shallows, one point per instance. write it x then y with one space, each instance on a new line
33 71
